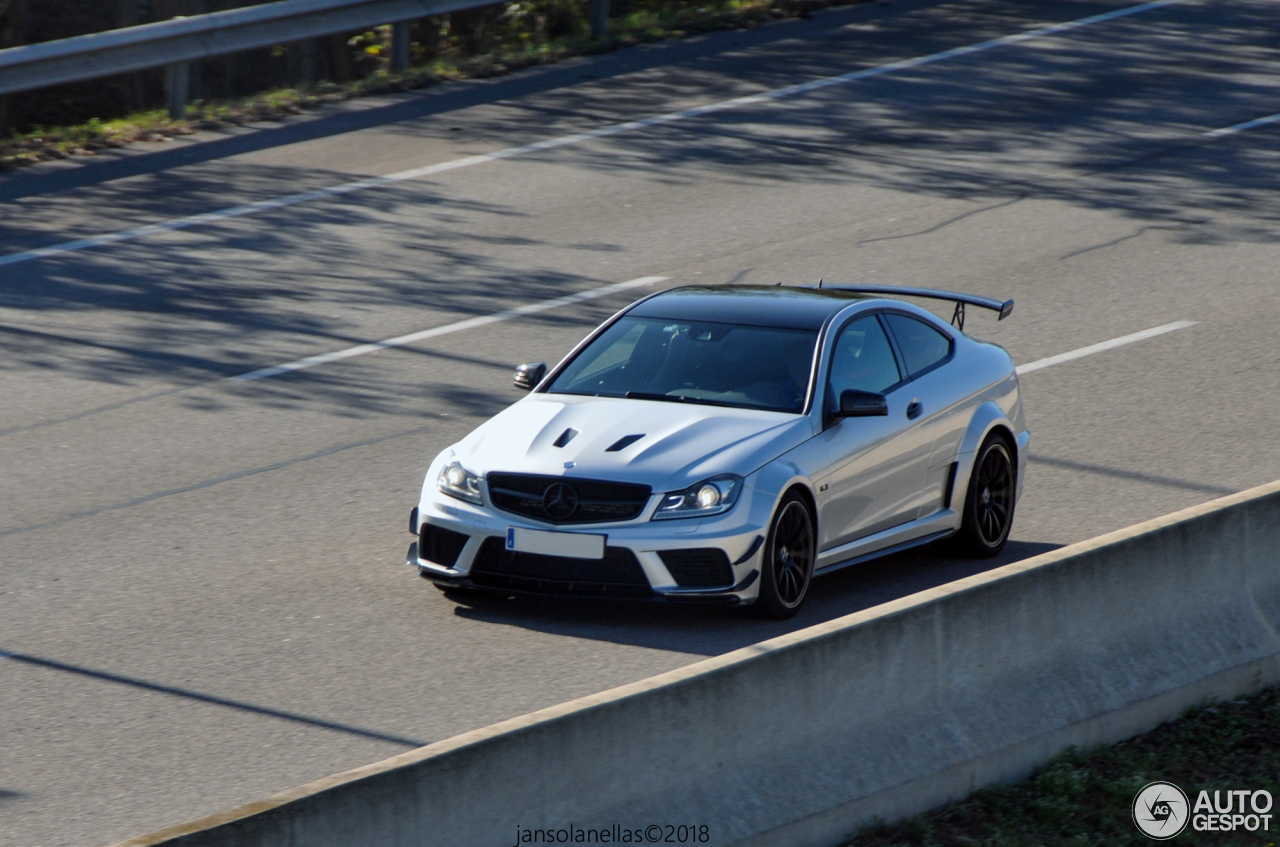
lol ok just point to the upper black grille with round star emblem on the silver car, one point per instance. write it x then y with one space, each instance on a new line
559 500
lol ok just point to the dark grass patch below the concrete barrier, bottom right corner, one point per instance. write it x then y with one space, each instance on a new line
1084 799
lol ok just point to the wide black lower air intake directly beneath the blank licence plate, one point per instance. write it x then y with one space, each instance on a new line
618 575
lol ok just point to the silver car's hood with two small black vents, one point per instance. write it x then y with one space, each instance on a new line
682 443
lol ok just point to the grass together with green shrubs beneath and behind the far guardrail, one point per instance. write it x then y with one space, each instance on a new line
479 44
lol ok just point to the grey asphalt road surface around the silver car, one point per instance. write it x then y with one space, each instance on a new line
203 592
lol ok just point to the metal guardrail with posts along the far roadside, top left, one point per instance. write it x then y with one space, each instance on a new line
173 44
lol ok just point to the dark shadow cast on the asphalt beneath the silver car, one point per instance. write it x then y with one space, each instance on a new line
708 631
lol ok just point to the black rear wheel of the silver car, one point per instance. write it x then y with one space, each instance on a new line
989 505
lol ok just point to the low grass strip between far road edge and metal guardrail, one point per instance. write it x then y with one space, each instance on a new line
45 144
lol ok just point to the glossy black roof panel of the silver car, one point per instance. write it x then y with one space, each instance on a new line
748 305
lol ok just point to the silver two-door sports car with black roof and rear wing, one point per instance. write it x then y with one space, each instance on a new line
730 443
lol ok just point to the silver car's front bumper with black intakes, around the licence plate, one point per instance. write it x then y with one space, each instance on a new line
644 560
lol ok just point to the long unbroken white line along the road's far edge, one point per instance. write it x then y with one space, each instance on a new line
614 130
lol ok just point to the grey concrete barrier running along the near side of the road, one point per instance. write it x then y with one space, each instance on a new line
808 738
